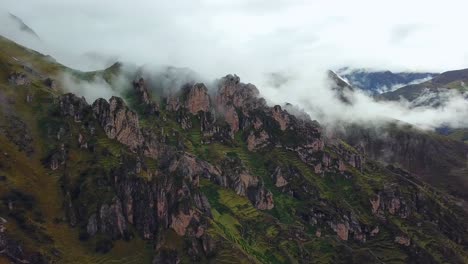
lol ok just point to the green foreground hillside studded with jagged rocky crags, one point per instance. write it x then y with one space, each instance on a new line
187 175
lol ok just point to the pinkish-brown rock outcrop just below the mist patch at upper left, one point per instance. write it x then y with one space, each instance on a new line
118 121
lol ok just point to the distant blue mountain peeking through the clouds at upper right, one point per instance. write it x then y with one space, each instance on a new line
382 81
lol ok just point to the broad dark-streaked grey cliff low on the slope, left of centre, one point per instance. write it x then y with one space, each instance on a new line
169 201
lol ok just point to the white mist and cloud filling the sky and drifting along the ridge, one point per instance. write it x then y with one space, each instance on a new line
283 47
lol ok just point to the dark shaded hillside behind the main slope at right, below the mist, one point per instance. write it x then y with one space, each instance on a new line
434 158
